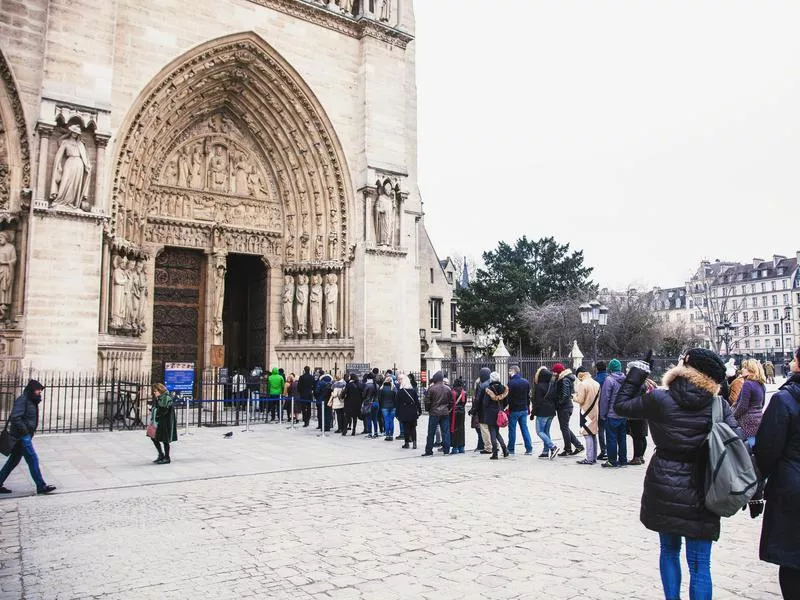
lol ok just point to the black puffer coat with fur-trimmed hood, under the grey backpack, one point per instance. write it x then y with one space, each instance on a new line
680 419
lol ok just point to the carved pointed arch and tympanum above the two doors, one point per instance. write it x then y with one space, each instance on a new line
239 105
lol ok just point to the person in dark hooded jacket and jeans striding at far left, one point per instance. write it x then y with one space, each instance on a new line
23 422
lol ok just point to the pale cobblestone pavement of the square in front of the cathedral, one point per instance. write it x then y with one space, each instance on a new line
286 514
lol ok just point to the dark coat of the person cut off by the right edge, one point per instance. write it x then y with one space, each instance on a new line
778 458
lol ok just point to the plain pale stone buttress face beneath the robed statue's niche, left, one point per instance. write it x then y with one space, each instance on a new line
63 291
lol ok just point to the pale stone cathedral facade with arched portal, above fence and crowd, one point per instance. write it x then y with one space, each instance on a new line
226 178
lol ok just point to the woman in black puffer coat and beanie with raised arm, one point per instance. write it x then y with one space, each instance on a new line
673 502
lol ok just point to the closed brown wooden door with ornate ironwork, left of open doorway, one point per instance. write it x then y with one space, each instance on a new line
178 308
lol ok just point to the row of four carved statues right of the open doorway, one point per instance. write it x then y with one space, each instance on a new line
303 302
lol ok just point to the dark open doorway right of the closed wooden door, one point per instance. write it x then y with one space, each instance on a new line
244 312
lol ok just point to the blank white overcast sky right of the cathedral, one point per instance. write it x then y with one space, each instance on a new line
649 134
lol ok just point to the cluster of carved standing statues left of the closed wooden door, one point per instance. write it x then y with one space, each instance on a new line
128 295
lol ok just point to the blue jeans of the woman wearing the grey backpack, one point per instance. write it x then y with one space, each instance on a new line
698 556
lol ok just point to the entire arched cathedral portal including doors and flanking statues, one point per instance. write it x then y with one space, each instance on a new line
229 176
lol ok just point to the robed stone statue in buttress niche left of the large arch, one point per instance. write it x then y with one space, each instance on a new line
70 183
